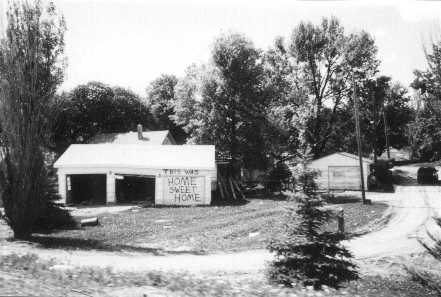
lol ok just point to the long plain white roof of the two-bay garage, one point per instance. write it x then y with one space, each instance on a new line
138 156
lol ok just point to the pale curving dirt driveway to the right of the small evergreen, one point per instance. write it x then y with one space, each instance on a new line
412 210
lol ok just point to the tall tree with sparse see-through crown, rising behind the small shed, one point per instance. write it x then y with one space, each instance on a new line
327 60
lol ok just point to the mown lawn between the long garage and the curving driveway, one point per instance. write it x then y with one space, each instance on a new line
197 229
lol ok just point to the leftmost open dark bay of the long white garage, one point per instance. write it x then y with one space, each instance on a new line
86 188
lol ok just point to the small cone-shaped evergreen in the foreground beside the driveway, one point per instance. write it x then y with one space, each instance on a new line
306 254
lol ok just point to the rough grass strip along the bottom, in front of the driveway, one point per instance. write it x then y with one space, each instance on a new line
29 275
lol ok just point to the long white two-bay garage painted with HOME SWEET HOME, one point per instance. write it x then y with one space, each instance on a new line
119 173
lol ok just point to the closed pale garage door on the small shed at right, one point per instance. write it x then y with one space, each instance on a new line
344 178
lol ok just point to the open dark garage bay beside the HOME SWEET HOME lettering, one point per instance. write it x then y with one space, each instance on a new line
134 188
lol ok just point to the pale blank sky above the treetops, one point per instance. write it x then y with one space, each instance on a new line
129 43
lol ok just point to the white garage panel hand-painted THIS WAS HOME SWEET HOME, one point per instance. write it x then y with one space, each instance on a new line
183 189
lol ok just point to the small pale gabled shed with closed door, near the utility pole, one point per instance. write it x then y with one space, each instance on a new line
340 171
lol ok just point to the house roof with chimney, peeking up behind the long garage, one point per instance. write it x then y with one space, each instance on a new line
149 137
